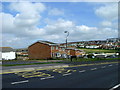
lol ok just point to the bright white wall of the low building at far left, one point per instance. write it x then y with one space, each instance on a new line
8 55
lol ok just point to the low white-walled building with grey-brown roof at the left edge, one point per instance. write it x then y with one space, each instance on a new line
8 53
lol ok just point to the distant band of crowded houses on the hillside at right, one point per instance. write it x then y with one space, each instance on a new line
111 43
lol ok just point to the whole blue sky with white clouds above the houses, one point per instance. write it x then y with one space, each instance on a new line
24 23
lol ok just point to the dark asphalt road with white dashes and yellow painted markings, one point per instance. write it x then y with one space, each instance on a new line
88 76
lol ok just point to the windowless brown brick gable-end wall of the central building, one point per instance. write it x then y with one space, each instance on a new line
39 51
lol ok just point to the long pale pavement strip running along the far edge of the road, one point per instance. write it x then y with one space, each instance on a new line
13 69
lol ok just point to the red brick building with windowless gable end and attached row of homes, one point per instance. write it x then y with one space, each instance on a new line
47 50
